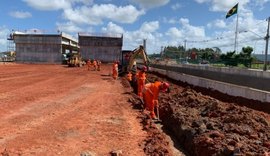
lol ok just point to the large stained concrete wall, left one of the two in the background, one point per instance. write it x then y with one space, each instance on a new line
38 48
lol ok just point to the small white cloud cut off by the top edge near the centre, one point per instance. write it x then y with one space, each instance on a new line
151 3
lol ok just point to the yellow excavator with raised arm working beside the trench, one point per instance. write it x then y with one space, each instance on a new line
131 57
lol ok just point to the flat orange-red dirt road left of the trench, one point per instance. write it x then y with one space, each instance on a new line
55 110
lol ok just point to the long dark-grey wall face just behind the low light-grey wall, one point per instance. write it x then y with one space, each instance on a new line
242 77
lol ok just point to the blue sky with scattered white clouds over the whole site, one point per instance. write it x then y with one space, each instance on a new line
189 23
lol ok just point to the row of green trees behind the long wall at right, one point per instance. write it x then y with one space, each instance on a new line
213 55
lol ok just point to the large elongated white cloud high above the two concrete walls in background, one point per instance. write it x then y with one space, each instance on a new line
97 13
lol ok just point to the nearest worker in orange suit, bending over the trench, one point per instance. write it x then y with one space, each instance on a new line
150 95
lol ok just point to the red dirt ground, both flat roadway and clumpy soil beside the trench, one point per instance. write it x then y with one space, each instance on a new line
56 110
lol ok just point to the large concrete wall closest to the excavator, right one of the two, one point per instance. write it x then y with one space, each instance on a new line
106 49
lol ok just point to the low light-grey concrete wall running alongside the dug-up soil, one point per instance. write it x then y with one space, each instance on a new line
230 89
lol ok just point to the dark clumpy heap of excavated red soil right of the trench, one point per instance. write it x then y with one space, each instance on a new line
206 122
